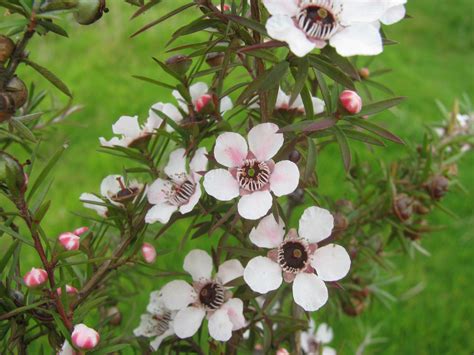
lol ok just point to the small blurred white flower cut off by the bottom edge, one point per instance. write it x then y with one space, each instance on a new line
313 340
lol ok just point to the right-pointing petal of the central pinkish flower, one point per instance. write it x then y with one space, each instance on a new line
285 178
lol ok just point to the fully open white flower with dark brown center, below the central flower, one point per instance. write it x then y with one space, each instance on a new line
298 257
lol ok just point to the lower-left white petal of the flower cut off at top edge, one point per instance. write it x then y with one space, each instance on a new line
283 28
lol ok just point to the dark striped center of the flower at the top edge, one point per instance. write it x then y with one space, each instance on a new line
318 19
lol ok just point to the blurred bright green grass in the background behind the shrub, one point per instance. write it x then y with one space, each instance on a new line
434 60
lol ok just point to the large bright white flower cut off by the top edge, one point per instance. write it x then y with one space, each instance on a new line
346 24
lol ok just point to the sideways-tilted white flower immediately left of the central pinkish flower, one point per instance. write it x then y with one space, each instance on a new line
181 191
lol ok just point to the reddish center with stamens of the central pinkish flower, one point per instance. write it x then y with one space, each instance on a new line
253 175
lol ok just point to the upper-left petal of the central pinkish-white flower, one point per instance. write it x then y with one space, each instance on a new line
230 150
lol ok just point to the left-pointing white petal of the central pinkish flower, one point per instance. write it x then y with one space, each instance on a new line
220 184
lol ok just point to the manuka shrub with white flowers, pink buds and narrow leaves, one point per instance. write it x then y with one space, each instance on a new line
230 160
